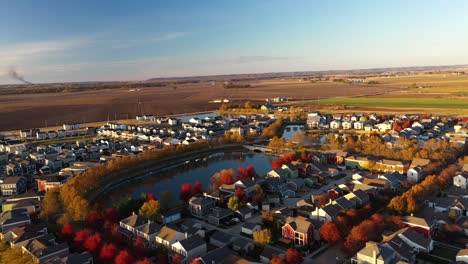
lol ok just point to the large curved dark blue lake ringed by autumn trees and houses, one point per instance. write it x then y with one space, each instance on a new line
189 173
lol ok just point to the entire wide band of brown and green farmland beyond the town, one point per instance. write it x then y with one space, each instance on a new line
33 108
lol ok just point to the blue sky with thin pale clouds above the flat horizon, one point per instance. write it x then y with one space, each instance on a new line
88 40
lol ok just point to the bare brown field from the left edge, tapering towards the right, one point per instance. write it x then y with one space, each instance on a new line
53 109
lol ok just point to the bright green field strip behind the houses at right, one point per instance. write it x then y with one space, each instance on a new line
397 102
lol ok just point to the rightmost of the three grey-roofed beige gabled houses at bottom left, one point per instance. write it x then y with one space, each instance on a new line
189 248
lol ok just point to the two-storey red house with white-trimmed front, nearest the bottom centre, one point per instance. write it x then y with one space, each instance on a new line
299 230
